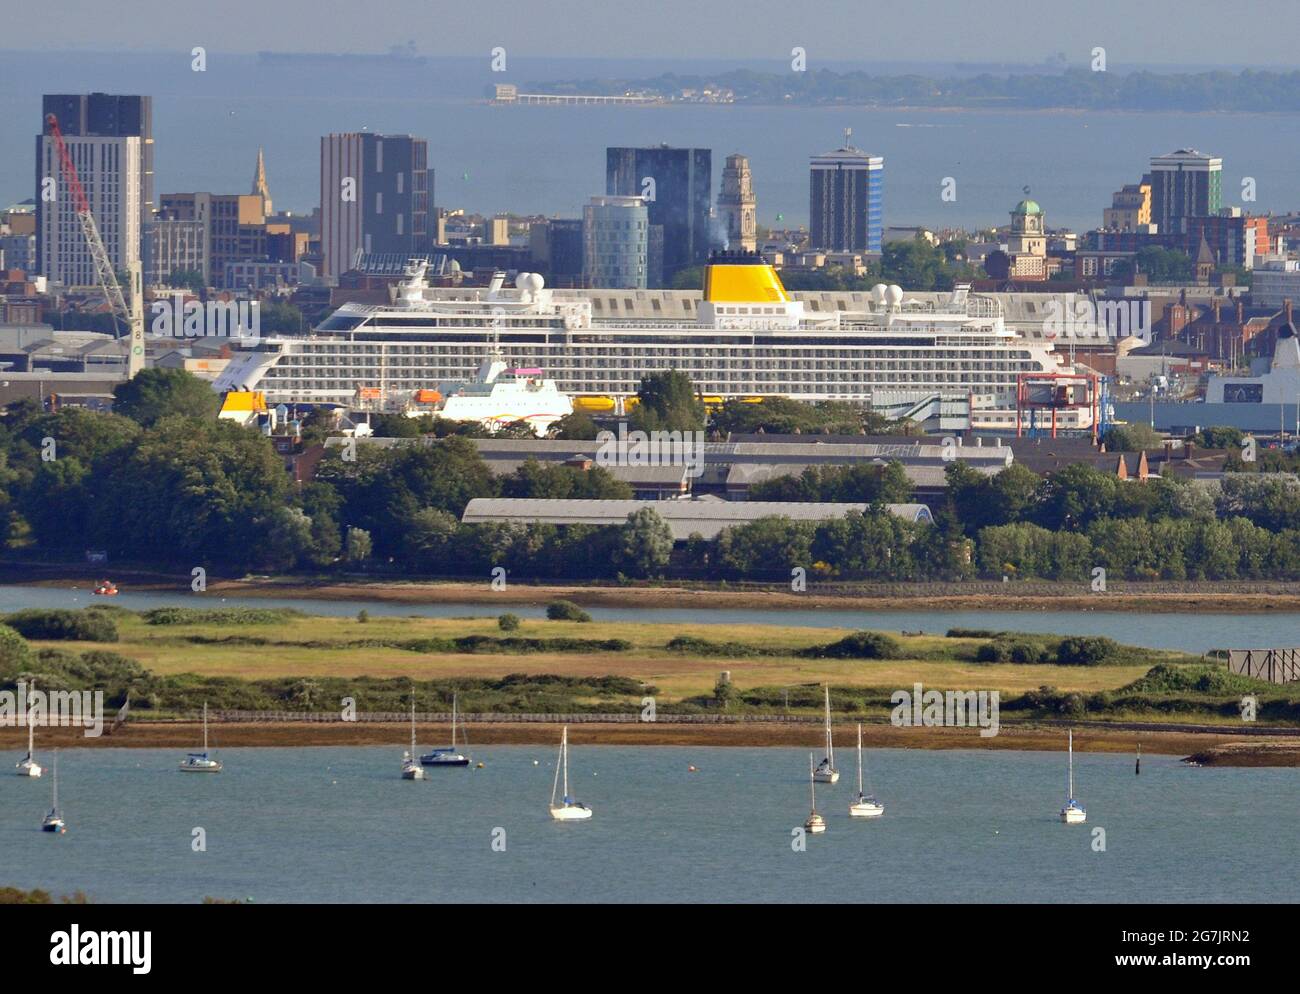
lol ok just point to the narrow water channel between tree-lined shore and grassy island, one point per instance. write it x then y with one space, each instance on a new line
1188 632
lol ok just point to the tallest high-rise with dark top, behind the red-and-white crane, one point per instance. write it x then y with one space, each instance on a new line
111 142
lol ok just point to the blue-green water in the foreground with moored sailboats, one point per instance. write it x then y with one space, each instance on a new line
340 826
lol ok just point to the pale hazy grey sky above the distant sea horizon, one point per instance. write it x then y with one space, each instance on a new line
1181 32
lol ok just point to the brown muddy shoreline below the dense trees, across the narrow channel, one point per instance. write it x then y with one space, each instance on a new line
1228 597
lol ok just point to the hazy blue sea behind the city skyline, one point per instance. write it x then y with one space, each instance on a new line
532 160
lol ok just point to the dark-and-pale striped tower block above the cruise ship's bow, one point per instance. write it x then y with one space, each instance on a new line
376 193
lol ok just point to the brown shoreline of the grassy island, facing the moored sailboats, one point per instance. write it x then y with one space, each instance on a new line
1204 748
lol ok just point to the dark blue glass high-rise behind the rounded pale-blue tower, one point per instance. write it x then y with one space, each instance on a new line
677 185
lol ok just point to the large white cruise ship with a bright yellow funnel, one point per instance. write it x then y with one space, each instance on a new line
744 337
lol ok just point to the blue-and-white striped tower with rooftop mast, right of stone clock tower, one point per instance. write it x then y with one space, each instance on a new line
847 199
